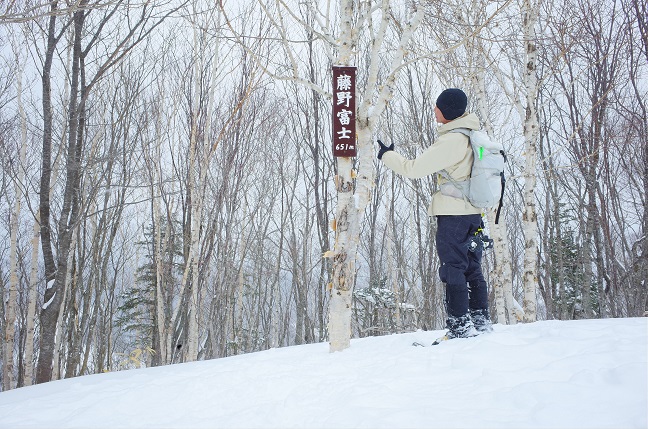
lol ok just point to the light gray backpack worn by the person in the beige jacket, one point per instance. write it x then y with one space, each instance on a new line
485 186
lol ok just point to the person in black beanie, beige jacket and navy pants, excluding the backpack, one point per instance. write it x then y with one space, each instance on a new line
458 221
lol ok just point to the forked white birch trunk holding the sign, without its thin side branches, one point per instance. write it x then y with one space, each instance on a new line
351 205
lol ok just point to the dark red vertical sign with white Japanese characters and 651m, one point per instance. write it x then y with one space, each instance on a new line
344 133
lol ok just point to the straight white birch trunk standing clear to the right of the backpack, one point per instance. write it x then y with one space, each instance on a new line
531 128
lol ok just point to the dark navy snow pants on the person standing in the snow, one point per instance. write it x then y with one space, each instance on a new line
460 268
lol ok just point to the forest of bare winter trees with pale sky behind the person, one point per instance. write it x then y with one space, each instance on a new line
169 193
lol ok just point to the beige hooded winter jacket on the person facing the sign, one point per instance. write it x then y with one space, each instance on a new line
451 152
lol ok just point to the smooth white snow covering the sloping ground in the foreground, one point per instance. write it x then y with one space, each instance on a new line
552 374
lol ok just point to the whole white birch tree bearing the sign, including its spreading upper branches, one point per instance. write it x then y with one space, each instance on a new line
356 20
